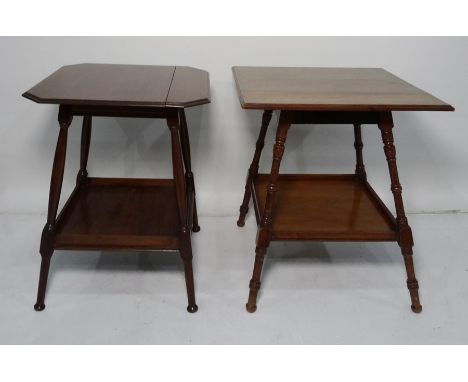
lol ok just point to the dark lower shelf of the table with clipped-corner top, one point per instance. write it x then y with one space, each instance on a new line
109 213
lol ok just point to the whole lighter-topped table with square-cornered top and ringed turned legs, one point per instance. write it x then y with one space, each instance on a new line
326 207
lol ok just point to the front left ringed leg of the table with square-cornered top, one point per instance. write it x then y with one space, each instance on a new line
264 231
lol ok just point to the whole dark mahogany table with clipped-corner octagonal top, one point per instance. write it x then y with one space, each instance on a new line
114 213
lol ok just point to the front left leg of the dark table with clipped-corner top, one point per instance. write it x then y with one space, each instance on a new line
47 240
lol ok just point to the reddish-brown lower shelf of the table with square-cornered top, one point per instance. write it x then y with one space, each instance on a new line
325 208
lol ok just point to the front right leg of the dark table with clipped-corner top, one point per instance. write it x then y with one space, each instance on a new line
181 193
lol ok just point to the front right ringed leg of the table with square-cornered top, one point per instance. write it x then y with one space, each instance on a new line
405 236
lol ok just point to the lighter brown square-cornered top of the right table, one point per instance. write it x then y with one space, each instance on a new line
329 89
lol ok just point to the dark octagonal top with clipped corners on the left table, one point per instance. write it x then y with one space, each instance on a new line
123 85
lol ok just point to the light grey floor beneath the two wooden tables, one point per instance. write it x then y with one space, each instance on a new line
312 293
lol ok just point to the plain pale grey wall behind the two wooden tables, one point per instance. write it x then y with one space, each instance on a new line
431 146
